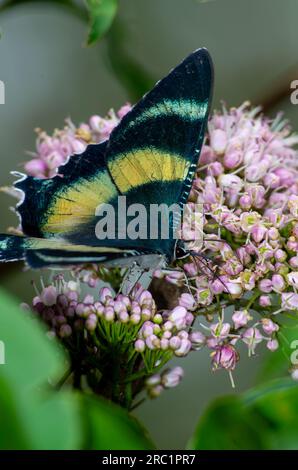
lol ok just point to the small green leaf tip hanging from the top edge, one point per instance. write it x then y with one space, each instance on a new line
101 14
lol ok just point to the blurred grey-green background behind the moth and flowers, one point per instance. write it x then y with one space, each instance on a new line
49 75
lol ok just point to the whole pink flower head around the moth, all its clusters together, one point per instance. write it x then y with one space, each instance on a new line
247 183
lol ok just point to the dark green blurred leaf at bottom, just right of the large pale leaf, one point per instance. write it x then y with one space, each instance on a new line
110 427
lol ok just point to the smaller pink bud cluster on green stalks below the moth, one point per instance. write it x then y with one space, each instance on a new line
101 319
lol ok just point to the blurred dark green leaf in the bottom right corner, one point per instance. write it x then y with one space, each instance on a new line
261 419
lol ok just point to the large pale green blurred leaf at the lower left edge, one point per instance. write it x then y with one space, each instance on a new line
32 415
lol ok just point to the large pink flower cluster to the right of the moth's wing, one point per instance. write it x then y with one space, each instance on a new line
247 182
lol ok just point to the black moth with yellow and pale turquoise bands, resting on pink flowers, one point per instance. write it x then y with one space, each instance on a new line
150 158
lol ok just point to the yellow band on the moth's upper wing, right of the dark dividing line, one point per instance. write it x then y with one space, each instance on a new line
142 166
